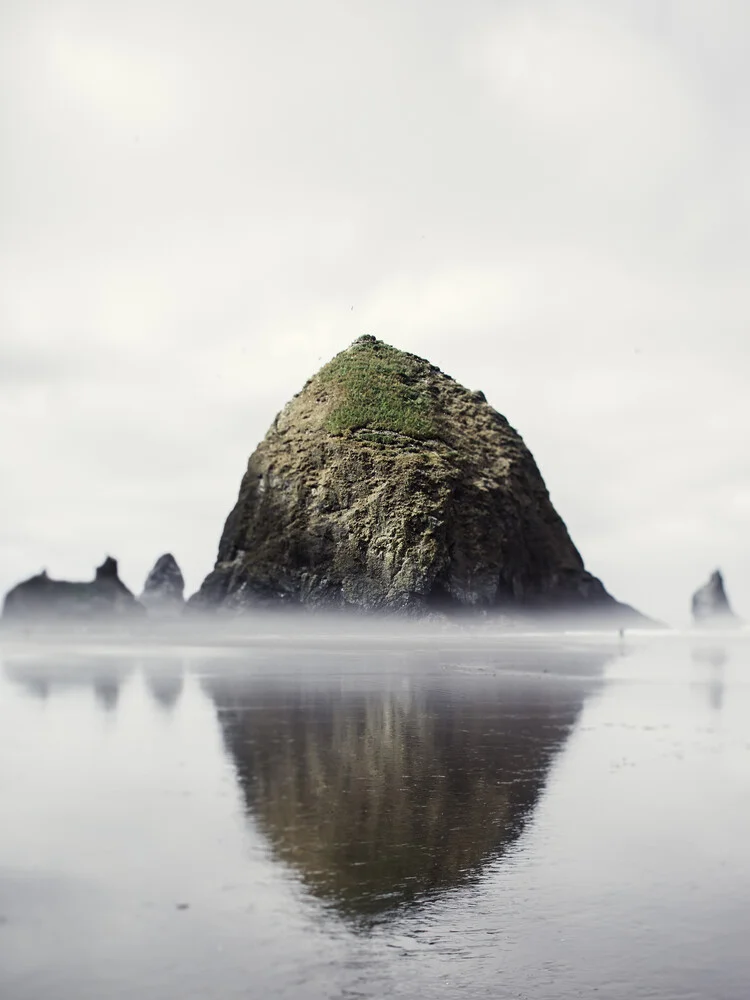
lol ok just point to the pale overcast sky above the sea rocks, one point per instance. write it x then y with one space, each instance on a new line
202 202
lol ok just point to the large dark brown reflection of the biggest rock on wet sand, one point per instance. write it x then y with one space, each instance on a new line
377 797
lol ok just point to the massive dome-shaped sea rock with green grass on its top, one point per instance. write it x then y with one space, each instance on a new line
386 485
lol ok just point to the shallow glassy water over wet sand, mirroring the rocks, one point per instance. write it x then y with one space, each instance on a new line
309 817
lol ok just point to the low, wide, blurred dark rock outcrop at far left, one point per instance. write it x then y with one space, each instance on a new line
41 598
